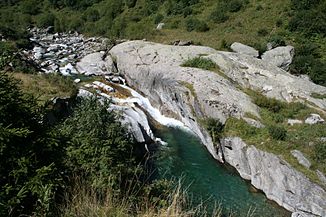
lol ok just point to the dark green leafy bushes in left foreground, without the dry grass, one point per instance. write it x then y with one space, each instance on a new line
39 161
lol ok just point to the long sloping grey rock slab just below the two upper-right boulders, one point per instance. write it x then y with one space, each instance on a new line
272 81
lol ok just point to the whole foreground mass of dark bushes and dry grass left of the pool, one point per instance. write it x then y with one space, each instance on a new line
86 164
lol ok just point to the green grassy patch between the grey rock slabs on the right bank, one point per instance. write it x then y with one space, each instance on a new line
303 137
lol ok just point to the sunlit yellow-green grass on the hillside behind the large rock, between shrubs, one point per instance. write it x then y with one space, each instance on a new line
241 26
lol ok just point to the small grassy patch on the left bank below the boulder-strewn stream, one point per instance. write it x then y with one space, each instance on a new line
44 87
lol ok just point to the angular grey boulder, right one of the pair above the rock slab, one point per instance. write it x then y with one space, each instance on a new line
281 56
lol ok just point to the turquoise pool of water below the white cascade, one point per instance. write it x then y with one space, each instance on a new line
185 157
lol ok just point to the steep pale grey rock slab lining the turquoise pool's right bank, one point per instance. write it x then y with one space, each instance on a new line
276 178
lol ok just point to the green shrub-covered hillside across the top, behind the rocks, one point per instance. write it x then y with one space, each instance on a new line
212 23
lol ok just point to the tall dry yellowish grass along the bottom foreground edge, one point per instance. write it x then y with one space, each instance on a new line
82 200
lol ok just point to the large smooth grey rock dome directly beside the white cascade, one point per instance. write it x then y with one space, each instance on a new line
181 92
